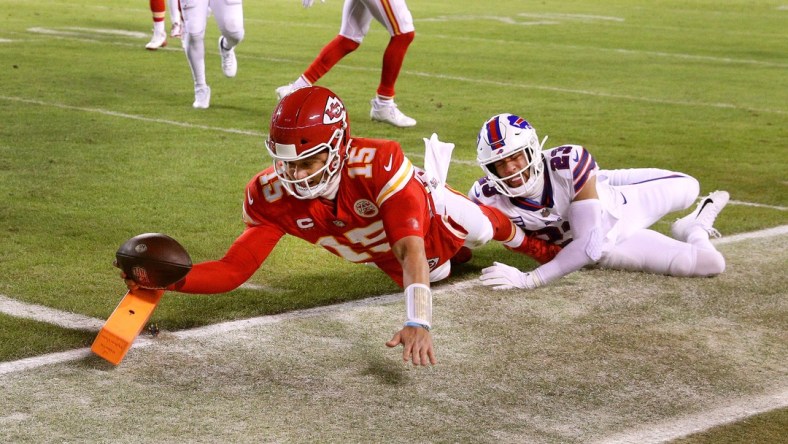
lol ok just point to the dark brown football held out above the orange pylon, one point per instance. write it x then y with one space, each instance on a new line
153 260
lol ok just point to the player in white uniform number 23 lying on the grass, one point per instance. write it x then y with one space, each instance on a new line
598 216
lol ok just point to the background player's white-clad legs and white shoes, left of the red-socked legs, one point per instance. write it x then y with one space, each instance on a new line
229 18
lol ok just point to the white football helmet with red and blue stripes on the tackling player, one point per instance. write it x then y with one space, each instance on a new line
505 135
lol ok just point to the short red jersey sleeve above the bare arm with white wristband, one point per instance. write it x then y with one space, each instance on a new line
405 213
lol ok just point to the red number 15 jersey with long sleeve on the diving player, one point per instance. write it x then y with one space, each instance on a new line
380 200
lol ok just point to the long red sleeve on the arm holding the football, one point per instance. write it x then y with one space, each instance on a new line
240 262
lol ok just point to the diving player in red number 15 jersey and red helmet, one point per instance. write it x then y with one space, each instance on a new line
362 200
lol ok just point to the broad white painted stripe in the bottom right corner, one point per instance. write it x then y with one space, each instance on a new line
699 422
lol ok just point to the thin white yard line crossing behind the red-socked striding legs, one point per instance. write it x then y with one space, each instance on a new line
540 87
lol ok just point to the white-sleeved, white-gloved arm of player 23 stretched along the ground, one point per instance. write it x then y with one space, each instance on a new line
585 213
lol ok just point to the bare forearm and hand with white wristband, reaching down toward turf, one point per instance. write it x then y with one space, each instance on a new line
415 336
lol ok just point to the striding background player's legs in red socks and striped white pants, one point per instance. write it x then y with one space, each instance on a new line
356 18
